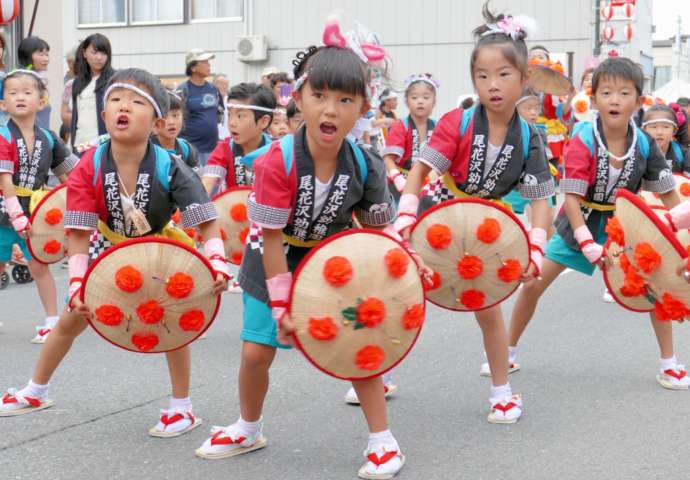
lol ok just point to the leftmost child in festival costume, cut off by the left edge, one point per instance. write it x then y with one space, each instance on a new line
28 153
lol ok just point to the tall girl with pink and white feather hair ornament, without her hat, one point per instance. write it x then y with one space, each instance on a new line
486 152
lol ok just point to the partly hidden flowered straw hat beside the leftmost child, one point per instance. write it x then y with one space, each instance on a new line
43 235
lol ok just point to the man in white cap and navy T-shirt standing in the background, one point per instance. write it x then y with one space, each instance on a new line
203 104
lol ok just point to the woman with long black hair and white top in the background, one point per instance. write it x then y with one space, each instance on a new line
83 109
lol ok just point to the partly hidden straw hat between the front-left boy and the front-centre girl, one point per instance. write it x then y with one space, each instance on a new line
232 230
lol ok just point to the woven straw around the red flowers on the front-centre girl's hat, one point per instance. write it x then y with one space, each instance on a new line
313 298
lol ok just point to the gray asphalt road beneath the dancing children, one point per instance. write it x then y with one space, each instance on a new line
592 407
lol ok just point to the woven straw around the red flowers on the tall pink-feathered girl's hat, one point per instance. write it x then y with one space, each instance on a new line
463 216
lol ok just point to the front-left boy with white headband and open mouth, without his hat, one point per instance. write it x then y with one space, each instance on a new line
97 197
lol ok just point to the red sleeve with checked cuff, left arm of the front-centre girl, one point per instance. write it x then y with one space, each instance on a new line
270 203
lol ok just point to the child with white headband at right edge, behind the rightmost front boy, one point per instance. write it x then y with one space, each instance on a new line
664 125
